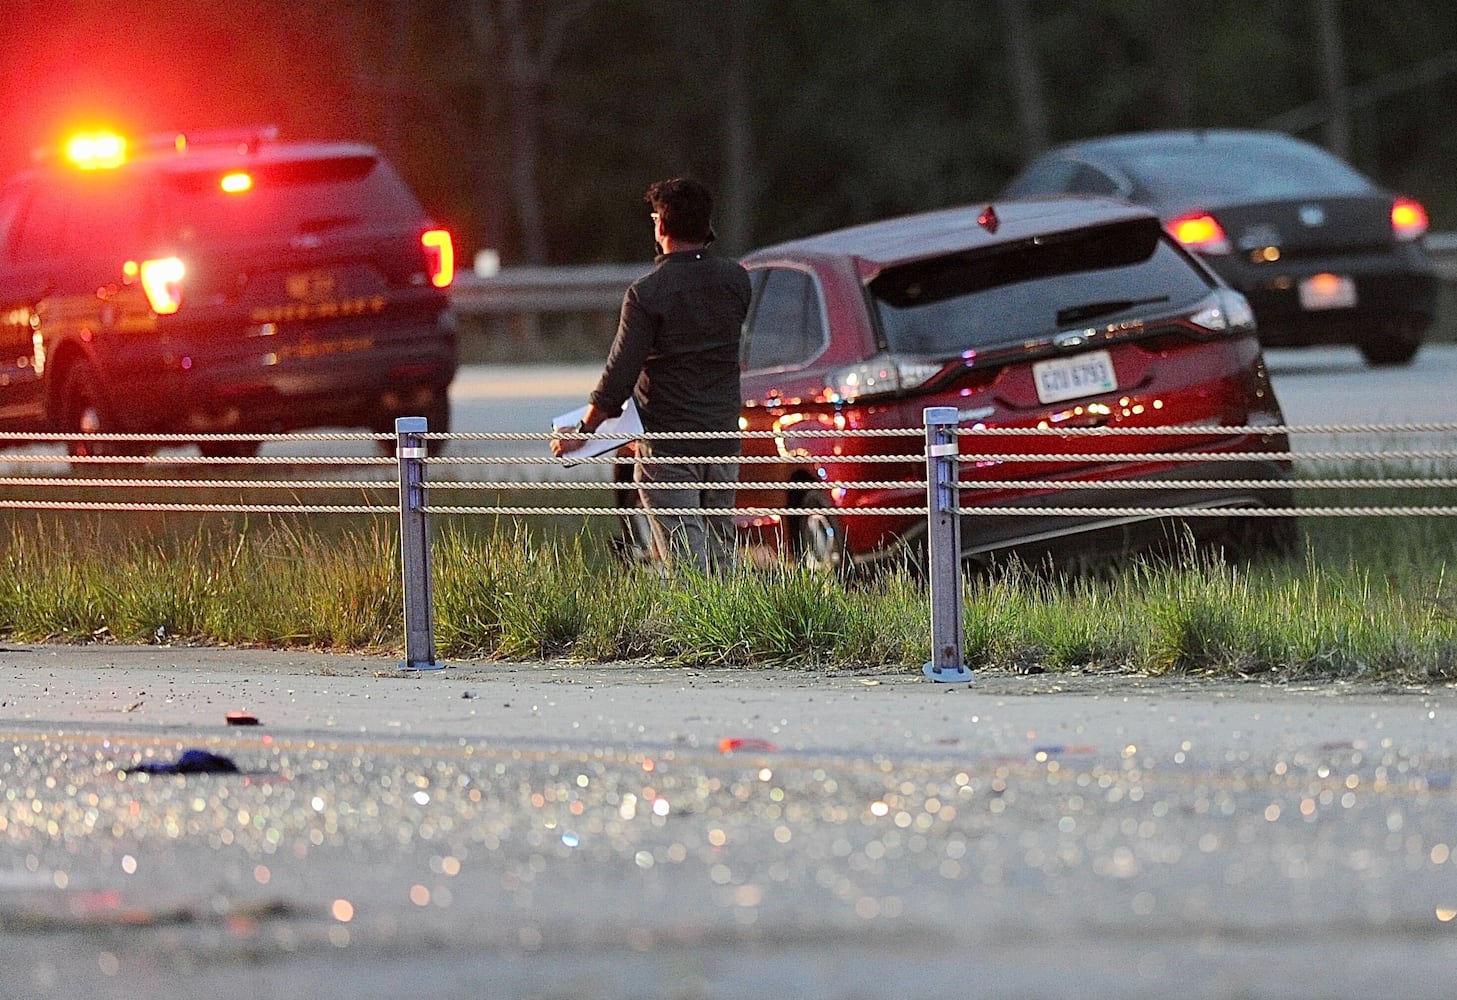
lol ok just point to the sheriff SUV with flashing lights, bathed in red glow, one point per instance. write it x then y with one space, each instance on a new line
219 284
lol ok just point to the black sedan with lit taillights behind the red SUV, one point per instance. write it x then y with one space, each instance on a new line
1324 254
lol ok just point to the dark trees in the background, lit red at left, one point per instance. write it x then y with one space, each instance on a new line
534 126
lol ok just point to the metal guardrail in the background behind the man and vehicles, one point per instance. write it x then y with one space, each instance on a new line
598 288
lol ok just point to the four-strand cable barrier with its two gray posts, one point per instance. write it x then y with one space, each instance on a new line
409 493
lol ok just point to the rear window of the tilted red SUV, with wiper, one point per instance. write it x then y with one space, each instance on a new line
1034 289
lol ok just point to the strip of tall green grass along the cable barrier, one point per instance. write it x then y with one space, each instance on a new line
1367 598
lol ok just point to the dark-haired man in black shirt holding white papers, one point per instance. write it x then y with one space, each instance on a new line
677 353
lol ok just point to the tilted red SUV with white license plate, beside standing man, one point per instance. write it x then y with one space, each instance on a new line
1066 313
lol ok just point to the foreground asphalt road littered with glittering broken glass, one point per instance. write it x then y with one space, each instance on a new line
500 830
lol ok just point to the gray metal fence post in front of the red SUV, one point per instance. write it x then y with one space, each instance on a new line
943 544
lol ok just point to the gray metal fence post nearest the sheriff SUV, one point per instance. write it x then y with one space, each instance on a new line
415 546
